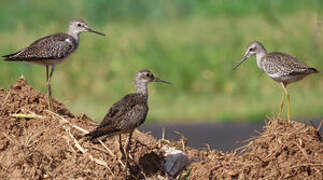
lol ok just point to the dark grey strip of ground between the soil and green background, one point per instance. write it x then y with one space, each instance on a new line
221 136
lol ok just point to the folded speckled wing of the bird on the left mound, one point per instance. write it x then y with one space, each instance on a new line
55 46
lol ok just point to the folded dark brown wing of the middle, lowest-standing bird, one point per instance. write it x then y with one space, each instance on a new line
125 115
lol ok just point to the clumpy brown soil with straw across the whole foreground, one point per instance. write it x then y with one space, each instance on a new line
48 145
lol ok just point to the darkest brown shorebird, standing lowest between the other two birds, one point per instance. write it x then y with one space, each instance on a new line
127 114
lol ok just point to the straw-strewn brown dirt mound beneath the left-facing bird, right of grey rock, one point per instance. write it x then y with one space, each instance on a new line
283 151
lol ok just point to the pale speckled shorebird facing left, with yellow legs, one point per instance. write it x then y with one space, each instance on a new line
281 67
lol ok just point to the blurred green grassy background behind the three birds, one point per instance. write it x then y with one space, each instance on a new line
193 44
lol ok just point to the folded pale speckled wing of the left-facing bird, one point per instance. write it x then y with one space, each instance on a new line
280 64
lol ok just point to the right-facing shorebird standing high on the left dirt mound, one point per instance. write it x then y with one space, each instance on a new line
53 49
